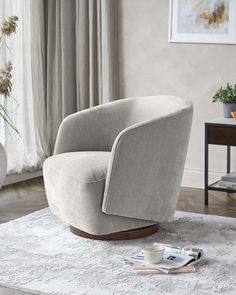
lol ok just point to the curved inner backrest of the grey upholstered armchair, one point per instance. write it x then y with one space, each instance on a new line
97 128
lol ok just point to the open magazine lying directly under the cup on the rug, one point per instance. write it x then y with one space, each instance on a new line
174 257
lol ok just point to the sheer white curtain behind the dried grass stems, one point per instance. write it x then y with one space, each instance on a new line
24 152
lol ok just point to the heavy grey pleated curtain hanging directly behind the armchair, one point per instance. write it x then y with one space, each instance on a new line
81 57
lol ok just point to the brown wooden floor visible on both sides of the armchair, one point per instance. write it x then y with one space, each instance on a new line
28 196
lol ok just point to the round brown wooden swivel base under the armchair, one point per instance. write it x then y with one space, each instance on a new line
123 235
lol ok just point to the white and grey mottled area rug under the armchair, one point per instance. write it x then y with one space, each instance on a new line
38 253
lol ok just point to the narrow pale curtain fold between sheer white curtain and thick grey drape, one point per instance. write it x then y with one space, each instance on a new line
38 68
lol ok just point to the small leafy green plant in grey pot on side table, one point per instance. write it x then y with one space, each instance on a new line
226 95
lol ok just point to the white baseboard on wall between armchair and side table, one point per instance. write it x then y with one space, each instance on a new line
195 178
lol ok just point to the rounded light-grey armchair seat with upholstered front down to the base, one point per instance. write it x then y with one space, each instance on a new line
74 184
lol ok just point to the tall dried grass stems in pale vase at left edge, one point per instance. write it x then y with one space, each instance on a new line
8 27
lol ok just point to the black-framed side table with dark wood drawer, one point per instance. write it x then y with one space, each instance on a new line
219 132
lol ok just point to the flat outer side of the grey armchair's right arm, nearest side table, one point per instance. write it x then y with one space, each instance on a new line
146 168
